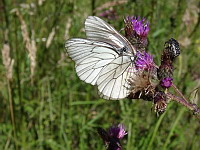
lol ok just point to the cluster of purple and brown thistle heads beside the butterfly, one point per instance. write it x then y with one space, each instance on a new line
150 82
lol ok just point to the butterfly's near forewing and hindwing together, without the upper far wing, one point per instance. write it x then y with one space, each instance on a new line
100 64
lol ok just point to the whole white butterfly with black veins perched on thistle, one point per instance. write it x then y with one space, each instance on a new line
105 58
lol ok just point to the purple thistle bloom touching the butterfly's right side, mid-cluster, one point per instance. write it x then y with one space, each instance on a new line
144 61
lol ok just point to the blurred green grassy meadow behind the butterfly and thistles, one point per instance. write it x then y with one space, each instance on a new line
43 104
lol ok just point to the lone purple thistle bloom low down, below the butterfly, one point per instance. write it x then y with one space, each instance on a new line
117 132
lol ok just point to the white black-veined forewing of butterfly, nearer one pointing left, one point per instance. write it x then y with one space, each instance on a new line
90 57
